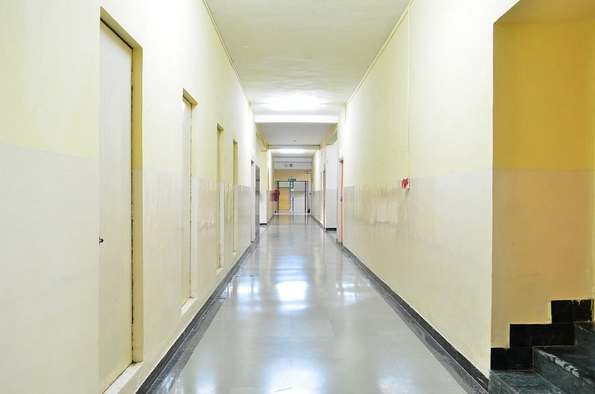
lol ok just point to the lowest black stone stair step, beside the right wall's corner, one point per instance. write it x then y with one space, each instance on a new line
520 382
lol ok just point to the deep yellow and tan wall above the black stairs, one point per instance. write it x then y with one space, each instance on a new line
544 97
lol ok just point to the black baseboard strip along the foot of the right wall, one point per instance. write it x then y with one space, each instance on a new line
468 375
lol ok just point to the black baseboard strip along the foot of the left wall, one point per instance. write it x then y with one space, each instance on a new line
196 321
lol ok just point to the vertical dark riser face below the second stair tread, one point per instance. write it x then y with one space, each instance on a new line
561 376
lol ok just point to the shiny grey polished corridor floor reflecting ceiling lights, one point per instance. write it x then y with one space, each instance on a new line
300 317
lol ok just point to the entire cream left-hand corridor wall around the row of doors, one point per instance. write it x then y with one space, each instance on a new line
49 161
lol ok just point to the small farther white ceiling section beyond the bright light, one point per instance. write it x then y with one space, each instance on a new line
295 133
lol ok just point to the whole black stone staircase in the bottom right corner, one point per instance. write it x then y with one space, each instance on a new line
557 369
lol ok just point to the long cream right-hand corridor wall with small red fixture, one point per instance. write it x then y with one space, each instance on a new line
424 110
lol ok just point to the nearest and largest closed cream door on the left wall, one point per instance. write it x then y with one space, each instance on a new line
115 251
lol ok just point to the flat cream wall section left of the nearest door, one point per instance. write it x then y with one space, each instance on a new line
49 196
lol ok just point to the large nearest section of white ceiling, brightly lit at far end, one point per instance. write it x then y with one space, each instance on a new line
303 57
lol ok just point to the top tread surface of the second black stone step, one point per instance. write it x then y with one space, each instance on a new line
576 361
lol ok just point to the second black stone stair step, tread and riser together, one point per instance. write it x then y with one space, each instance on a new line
572 369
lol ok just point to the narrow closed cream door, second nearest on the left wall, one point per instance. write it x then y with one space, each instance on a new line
186 200
